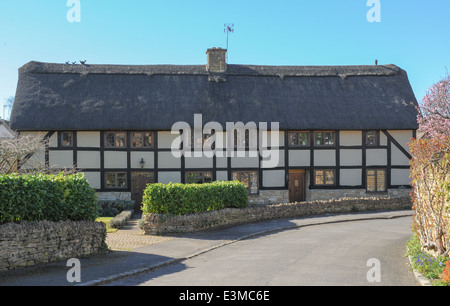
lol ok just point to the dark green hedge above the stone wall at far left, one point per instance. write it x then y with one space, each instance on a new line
46 197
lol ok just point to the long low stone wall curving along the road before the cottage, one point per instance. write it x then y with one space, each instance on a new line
163 224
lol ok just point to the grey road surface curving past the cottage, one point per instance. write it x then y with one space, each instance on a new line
356 253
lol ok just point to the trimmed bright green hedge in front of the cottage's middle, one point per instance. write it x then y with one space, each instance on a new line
182 199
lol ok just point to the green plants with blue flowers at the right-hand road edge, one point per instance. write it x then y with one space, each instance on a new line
427 265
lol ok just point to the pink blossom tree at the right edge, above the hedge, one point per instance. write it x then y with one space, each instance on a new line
434 110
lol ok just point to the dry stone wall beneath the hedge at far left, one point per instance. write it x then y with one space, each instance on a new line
31 243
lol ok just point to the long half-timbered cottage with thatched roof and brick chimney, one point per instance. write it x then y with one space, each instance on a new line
343 130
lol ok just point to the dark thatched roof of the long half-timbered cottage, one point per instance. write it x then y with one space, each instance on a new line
121 97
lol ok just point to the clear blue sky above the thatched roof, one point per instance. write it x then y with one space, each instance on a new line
412 34
